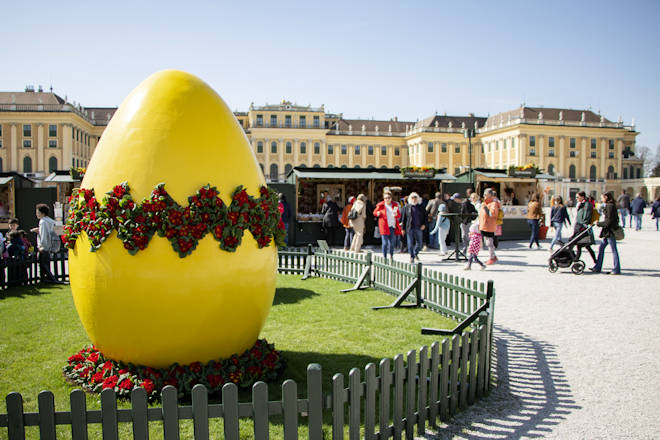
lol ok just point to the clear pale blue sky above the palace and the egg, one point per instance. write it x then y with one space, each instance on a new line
363 59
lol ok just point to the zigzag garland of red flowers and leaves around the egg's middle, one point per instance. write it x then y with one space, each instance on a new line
136 223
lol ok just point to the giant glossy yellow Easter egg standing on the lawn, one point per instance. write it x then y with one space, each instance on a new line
155 308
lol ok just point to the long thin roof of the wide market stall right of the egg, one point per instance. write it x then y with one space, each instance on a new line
360 174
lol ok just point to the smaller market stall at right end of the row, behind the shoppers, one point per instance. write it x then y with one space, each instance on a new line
514 189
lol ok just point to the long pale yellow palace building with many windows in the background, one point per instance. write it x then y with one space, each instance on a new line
41 132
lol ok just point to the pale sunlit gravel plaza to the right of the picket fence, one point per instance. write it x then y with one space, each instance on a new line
578 357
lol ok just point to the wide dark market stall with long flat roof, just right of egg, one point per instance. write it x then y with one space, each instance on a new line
340 183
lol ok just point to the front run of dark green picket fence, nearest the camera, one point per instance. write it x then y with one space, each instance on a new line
399 397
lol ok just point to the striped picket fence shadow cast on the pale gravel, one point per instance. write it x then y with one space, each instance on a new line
531 395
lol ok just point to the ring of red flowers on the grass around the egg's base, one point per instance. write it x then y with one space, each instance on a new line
92 371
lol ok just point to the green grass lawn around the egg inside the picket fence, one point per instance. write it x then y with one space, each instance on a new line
310 322
